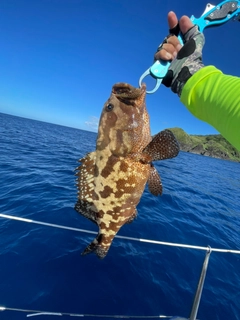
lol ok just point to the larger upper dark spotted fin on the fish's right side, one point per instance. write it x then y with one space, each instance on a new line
163 146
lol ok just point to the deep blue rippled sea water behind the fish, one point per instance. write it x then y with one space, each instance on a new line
41 267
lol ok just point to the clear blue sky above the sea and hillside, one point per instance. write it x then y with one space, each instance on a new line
60 58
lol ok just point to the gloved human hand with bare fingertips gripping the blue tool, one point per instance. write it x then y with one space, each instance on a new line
186 59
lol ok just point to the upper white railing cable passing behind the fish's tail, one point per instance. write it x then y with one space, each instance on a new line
172 244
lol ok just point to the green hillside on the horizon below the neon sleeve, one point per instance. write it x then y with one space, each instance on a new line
210 145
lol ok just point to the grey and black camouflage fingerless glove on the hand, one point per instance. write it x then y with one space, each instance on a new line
187 62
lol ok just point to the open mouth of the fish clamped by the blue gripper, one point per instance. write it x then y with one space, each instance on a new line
126 91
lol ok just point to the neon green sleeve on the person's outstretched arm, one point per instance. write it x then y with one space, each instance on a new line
214 98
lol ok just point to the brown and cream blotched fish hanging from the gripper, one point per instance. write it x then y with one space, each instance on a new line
111 179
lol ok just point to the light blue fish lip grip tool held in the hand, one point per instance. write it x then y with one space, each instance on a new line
212 16
